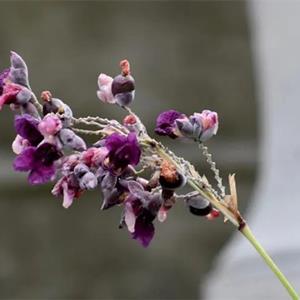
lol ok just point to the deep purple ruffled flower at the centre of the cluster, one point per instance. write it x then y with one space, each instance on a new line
122 151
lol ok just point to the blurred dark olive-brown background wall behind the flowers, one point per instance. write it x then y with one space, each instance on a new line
184 55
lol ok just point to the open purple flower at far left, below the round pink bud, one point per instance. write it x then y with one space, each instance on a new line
39 161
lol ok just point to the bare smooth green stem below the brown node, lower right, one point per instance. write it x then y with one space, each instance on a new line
262 252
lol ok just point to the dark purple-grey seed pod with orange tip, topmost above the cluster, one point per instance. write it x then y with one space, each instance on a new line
123 85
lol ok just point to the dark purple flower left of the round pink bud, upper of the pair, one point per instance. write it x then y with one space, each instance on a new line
27 127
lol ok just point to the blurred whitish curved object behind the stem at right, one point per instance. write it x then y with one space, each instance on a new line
274 217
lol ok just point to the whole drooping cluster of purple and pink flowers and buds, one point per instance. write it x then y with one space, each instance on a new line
48 148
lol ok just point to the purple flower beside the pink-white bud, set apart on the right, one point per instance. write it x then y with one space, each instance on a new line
166 123
